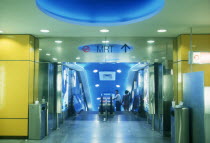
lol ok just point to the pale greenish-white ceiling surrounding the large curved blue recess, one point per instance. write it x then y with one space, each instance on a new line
23 17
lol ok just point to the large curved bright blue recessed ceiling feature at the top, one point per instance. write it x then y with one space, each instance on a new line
101 12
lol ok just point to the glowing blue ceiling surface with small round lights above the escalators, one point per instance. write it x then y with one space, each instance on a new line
99 87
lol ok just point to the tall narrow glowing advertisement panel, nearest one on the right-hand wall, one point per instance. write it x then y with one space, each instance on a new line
146 89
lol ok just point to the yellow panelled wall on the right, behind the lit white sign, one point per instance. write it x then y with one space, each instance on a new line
180 60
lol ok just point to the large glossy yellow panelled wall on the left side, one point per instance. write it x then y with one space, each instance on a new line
17 70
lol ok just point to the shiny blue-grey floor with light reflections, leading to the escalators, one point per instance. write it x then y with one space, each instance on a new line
91 128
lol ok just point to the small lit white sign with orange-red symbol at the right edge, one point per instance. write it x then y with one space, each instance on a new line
200 58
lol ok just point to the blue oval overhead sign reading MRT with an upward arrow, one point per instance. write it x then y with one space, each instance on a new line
106 48
